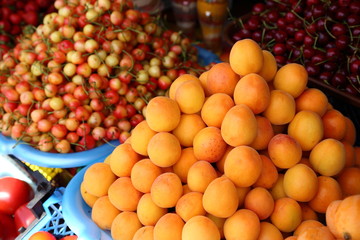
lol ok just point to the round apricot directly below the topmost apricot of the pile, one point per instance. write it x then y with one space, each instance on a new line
253 91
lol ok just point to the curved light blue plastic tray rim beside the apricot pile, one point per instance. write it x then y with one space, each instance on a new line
77 214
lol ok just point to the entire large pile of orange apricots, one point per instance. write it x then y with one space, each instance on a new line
244 151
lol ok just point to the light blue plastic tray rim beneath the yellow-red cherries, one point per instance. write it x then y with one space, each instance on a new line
31 155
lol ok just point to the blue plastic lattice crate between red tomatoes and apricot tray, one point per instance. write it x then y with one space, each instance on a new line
52 220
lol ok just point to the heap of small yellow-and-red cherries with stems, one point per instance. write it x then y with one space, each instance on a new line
84 76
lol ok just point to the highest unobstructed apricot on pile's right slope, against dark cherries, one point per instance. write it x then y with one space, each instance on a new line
292 78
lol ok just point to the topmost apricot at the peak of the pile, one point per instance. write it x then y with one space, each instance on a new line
246 57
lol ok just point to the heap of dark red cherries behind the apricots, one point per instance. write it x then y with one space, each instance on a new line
323 36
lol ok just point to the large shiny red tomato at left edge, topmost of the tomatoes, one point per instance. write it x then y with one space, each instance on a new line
13 193
